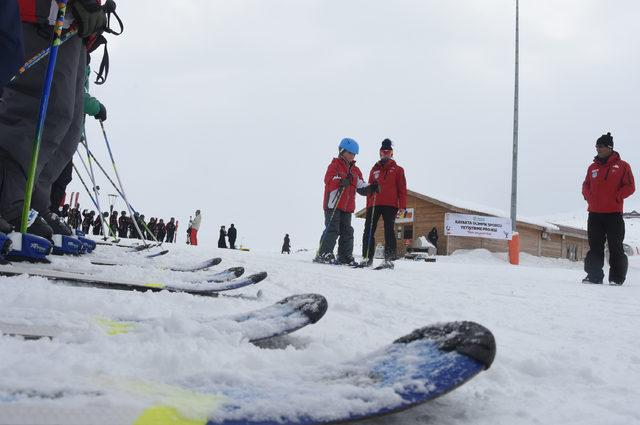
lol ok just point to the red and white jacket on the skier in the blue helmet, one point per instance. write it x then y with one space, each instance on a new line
345 199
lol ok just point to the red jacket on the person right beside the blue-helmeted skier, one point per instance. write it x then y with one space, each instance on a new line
392 183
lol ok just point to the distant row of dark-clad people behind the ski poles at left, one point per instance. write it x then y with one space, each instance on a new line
119 224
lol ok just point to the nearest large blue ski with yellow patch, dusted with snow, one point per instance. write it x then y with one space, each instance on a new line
414 369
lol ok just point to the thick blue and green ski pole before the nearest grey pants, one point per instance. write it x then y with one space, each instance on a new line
42 113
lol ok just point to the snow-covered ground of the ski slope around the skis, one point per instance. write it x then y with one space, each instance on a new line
567 352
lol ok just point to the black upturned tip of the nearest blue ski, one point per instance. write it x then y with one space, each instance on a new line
468 338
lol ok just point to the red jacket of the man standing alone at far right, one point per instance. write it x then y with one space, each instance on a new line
607 185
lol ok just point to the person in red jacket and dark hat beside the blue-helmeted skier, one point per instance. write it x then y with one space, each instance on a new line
389 196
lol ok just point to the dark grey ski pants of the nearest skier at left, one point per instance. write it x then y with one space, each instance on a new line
19 107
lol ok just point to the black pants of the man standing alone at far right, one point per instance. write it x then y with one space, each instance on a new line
608 227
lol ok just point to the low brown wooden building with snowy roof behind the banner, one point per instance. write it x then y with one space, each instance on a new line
536 237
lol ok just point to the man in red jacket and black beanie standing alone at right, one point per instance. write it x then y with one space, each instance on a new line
608 182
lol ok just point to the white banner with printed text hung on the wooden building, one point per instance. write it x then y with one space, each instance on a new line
477 226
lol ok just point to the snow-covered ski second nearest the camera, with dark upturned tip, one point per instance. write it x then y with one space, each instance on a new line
282 318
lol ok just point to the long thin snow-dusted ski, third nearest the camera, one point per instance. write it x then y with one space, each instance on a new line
204 287
